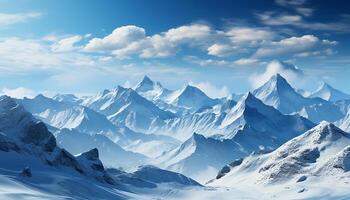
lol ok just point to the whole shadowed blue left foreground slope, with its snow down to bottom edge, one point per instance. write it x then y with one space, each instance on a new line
33 166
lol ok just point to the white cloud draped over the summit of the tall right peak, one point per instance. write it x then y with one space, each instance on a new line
289 71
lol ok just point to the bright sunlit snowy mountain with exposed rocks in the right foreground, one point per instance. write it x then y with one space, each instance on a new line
320 153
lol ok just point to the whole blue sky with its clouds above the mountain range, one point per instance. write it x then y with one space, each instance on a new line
220 46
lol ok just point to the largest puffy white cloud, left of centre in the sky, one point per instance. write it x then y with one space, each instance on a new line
131 40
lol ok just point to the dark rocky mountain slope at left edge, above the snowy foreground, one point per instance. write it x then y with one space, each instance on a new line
23 135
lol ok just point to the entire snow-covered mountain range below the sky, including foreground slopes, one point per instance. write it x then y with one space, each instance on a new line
150 142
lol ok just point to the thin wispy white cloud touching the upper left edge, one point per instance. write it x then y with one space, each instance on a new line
8 19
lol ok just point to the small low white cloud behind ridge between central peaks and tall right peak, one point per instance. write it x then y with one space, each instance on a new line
212 90
